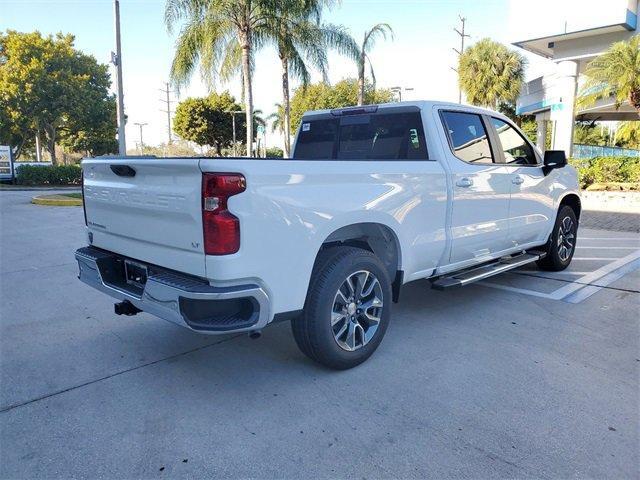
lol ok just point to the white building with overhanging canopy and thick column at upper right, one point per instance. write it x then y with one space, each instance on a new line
552 97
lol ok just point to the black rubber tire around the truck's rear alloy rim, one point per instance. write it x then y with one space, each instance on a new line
313 330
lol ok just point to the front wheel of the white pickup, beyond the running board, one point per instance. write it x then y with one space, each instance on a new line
556 261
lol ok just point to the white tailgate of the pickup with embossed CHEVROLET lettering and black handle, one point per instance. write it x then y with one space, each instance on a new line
147 209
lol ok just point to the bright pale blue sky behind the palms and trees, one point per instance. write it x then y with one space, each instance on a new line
420 56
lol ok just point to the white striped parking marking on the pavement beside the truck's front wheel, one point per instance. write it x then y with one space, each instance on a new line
582 284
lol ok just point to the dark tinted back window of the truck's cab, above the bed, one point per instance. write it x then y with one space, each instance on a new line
380 136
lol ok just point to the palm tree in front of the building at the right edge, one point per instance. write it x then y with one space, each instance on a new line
615 73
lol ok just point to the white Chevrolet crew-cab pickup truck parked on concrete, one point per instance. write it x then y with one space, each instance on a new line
374 197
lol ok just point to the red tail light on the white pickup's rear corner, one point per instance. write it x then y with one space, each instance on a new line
220 227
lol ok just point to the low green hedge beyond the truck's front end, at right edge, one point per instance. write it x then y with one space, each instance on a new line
604 170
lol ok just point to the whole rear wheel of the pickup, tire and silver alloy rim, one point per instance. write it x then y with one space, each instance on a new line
347 309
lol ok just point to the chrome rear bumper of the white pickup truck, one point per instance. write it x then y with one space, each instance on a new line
187 301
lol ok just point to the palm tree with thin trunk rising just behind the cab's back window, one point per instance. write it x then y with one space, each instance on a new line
301 41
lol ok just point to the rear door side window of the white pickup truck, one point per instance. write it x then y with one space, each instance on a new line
468 137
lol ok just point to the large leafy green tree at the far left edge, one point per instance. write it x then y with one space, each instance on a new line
49 87
